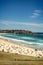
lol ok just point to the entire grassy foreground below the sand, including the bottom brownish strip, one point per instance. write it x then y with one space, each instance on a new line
15 59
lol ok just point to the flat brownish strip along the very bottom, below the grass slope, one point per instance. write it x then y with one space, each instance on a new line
21 62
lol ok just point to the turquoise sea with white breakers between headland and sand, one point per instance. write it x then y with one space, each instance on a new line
35 41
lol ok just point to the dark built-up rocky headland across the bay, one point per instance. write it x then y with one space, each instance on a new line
16 31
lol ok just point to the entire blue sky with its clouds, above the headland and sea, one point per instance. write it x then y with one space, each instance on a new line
21 14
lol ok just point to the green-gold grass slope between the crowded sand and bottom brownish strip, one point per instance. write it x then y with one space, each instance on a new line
17 57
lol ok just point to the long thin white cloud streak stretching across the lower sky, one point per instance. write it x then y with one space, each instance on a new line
10 23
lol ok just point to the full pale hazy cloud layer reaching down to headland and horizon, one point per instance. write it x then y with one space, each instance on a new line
36 27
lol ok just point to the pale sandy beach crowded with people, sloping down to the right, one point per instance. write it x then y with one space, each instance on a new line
11 47
